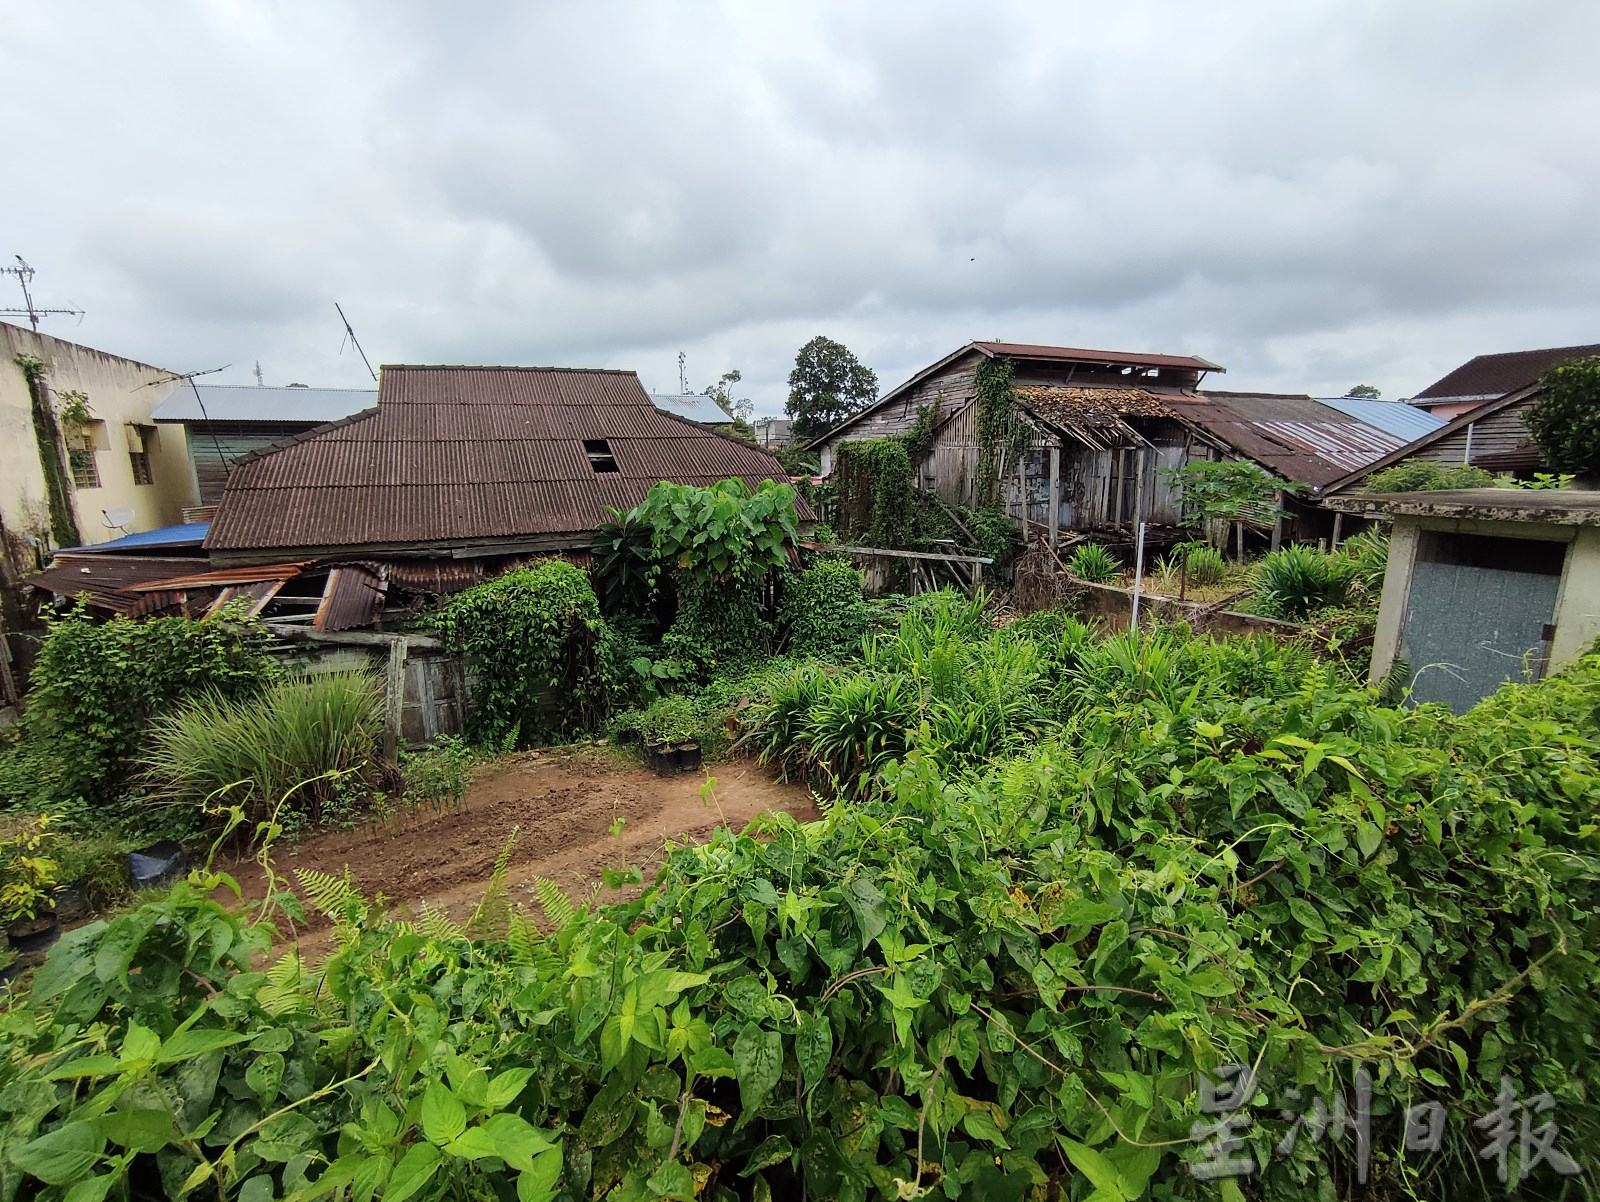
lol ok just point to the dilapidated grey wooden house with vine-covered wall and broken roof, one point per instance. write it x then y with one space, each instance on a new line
1102 428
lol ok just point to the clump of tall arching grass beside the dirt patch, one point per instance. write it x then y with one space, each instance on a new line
300 740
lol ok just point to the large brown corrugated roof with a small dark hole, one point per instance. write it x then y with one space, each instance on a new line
462 455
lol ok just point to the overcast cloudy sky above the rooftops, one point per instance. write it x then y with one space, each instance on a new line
1314 194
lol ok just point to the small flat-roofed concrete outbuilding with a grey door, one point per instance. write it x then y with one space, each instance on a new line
1484 587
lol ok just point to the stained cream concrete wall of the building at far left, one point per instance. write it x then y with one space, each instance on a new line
121 393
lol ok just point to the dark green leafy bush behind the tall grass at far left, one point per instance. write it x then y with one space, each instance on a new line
97 686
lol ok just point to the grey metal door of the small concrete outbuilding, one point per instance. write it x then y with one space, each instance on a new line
1468 630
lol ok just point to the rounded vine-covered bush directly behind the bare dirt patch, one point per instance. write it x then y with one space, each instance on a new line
532 639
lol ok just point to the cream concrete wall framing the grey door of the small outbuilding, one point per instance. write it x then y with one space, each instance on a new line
1577 604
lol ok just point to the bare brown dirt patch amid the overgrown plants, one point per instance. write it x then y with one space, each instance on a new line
575 814
